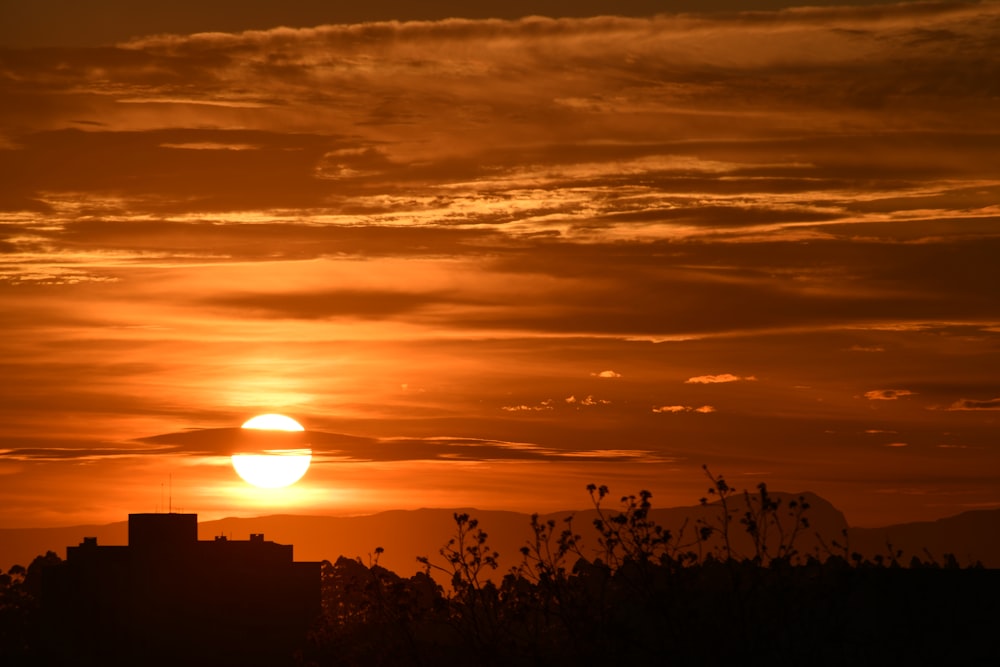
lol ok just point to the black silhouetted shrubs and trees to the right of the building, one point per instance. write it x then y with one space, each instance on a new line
646 593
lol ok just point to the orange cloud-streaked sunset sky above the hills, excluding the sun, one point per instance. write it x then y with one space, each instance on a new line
487 261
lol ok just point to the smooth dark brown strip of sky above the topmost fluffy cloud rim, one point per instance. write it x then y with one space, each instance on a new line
40 23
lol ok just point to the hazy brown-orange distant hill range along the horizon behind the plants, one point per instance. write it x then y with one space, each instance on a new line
406 534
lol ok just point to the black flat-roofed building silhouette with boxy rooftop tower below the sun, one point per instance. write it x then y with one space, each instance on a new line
170 598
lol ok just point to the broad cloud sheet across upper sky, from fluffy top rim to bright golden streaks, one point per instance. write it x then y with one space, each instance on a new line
351 98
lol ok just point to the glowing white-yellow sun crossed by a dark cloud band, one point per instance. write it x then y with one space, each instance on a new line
272 460
